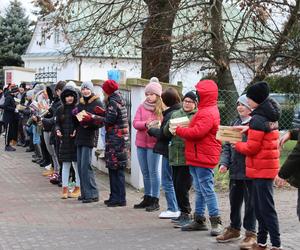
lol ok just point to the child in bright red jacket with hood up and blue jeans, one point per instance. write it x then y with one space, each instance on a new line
202 153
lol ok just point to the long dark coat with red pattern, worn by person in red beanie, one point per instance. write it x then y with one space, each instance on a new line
117 132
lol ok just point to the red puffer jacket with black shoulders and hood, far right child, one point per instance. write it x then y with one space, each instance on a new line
262 147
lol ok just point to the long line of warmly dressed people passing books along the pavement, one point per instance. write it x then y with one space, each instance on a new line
188 155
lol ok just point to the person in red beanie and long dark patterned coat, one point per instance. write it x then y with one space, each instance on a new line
116 125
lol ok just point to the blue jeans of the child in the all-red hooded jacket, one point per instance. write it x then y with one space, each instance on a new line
203 181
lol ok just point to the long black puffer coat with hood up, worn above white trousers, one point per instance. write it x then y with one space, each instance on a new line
66 123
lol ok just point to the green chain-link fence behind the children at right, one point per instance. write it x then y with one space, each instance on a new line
290 105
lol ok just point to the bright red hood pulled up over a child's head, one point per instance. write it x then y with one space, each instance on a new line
207 90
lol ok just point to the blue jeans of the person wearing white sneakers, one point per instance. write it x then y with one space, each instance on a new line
168 186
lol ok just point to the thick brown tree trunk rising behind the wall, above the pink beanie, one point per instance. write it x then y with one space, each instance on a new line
157 52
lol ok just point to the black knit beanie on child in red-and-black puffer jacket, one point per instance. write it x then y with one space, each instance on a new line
258 92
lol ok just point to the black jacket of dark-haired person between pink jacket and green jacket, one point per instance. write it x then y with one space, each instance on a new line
162 144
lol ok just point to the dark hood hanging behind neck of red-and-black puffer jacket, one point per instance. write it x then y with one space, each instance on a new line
269 109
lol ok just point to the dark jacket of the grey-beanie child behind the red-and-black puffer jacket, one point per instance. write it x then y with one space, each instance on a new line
234 160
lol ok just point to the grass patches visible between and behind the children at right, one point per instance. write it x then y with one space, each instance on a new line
222 180
